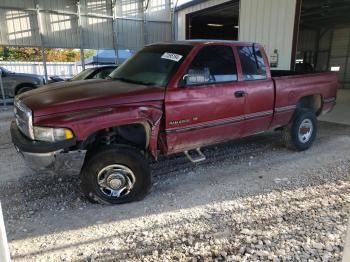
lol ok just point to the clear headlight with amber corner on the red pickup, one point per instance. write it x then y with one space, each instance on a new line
52 134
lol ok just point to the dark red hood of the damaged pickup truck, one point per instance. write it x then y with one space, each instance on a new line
81 95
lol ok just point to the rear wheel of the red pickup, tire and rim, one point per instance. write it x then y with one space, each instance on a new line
301 133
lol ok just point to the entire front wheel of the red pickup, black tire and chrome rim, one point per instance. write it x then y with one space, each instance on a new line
115 175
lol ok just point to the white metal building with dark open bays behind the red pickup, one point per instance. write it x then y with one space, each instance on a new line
316 33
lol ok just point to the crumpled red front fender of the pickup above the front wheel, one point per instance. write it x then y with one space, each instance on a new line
88 122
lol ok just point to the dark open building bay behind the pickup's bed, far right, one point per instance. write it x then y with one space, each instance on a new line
324 38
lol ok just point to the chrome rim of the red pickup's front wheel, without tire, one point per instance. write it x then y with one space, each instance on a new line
116 180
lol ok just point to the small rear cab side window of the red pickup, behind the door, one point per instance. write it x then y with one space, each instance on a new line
253 65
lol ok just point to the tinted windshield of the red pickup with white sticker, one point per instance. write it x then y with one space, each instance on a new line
153 65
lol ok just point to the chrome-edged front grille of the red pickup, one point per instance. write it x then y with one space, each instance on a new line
23 118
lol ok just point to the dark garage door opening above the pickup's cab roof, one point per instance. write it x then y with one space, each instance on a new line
218 22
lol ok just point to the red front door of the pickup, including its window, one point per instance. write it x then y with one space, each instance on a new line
208 105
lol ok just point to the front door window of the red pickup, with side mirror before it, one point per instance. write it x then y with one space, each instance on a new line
213 64
